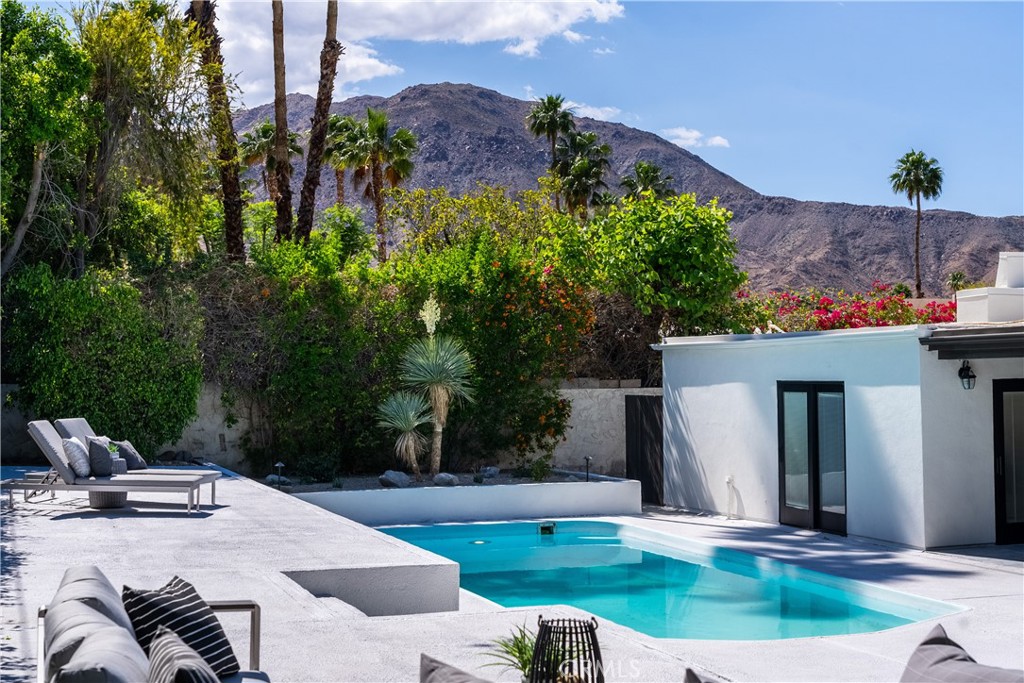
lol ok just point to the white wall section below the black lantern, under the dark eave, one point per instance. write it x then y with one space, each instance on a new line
960 449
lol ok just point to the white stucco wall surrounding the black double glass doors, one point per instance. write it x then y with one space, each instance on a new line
721 420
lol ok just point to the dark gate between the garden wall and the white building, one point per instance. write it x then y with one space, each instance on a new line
645 459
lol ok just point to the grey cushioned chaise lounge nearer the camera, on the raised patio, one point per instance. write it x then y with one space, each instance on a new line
49 441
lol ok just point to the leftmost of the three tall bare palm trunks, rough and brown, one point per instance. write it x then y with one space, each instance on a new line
204 15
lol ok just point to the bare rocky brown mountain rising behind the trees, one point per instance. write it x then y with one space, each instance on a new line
470 135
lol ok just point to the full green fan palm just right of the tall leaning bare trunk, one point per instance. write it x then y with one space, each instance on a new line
381 157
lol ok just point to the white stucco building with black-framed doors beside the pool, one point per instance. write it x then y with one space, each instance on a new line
869 433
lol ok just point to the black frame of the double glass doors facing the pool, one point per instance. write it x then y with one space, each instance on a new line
815 517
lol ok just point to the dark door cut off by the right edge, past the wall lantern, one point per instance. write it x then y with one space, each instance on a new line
1009 418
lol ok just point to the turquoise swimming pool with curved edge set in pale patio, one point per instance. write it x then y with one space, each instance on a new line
663 586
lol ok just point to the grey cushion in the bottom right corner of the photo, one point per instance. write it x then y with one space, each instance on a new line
940 659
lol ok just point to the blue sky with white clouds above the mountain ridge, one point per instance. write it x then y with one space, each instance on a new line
804 100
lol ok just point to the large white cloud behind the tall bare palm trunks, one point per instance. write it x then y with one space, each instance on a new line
522 27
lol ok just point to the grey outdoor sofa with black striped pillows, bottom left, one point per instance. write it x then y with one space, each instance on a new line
90 632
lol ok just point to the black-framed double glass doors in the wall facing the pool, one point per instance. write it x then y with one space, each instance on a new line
813 455
